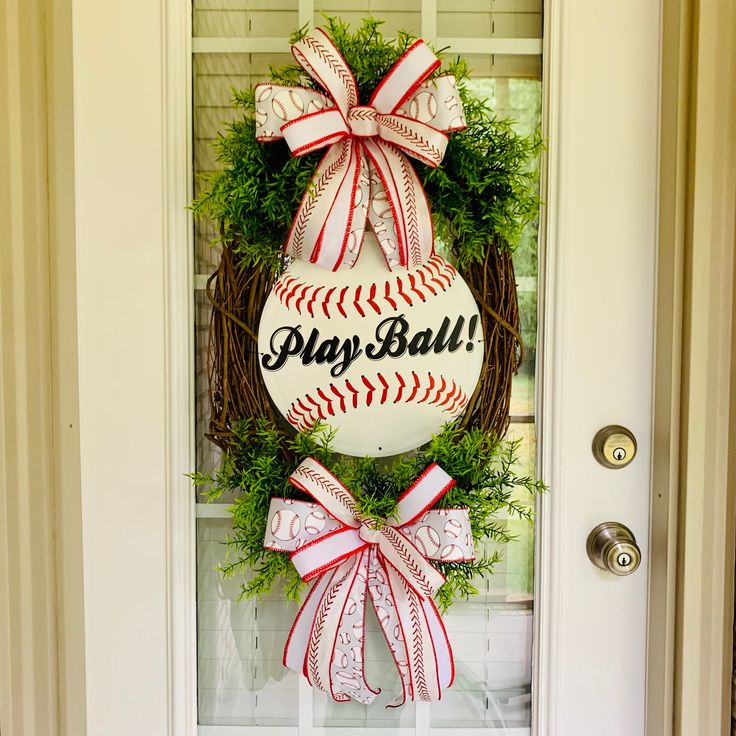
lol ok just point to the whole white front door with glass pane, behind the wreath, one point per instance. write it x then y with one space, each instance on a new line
554 646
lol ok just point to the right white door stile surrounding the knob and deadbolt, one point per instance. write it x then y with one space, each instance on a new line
602 134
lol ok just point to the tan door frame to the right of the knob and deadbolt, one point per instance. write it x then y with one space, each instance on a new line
691 632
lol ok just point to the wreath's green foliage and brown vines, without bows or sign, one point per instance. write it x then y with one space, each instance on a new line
481 198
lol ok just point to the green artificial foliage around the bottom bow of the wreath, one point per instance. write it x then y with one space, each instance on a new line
261 457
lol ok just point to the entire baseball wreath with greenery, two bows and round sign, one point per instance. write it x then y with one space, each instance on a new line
380 482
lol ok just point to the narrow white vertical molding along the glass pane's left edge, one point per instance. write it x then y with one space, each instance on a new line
179 311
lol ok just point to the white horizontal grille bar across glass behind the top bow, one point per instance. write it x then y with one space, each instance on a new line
265 45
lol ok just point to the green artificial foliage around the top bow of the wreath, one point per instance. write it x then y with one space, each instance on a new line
481 196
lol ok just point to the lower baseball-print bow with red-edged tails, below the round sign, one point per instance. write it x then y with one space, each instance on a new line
352 561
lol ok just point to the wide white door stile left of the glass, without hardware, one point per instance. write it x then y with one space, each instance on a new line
131 101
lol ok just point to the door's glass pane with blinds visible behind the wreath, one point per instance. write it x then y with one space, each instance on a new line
243 686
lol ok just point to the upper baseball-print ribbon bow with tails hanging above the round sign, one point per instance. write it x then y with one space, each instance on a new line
364 173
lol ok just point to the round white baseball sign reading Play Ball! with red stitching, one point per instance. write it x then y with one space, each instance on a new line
386 358
